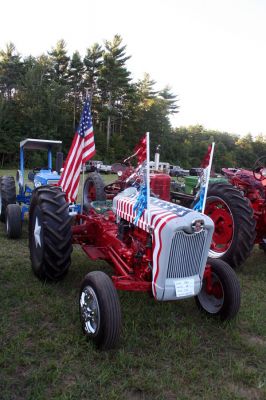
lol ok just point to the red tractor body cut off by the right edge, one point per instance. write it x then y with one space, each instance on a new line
252 184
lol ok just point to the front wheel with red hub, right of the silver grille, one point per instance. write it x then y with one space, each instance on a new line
220 293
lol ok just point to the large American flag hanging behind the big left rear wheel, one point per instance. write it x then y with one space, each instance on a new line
82 149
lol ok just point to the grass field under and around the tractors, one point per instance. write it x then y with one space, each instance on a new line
167 350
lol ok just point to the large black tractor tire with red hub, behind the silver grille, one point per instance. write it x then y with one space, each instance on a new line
235 227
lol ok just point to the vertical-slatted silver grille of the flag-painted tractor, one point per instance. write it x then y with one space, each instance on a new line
185 254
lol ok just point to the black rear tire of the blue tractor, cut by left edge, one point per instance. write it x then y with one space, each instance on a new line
7 194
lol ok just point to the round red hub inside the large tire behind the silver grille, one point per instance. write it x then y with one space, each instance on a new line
219 212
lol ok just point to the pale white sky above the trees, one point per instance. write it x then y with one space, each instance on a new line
212 53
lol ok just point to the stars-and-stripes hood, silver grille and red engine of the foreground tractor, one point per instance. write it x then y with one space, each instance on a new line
172 248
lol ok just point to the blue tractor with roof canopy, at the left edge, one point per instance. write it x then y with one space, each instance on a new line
14 206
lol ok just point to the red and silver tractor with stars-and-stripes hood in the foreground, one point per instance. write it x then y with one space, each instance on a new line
164 253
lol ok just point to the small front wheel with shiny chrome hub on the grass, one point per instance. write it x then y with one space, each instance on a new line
100 311
